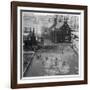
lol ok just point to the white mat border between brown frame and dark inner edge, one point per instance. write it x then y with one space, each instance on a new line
52 78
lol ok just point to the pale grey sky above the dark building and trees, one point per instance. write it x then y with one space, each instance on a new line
41 20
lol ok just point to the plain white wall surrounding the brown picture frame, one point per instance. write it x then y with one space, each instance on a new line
5 44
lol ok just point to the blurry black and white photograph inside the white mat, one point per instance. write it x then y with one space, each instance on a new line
50 43
